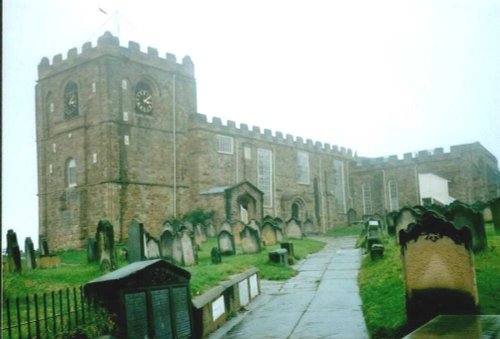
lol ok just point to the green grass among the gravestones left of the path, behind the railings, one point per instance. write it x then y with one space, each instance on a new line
75 271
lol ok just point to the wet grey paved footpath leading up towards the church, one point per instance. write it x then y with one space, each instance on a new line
322 301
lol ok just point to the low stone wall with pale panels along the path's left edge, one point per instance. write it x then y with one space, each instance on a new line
214 307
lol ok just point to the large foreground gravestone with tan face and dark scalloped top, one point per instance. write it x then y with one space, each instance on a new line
438 268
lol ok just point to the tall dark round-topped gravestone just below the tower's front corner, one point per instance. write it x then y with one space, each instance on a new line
105 245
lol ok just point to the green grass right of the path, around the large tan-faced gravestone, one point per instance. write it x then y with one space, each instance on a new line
382 287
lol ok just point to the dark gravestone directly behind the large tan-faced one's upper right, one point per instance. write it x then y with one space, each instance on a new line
463 216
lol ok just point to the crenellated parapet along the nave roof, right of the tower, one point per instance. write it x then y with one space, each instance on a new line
200 121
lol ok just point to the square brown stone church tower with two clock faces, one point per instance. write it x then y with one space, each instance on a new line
111 126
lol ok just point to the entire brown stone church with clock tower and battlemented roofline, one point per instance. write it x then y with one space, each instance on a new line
119 137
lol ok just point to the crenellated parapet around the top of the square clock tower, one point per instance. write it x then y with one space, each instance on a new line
109 45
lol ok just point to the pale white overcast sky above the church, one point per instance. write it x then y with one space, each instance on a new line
380 77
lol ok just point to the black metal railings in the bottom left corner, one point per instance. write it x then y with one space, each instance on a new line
46 316
